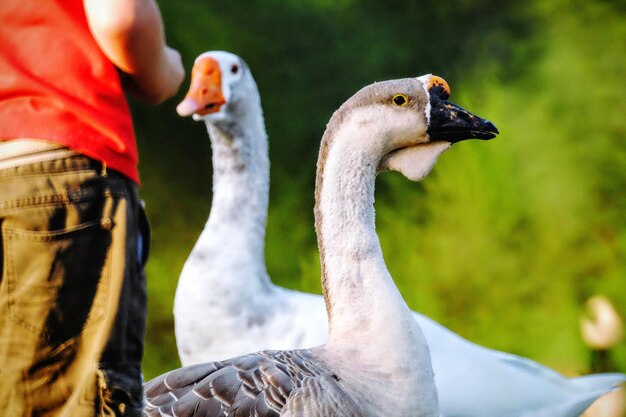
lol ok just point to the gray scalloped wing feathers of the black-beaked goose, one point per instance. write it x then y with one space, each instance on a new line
254 385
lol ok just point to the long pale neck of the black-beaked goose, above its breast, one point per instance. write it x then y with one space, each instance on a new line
361 296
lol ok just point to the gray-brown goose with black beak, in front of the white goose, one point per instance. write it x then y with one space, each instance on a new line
376 361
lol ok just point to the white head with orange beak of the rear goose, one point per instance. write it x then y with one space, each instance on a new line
222 89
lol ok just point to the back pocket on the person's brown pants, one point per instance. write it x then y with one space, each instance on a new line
57 281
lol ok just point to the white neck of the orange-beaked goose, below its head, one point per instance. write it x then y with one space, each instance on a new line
234 235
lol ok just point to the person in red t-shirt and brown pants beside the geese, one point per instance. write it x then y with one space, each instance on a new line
73 231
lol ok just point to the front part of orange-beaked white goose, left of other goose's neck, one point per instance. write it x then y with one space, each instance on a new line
225 303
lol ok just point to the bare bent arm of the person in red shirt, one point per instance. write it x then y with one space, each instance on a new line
131 35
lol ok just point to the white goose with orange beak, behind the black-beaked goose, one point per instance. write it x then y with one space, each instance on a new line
226 305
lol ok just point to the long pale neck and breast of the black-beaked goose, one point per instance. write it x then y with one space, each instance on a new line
369 322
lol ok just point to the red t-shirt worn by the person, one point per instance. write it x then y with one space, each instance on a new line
57 85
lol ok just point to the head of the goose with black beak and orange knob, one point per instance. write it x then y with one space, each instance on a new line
404 125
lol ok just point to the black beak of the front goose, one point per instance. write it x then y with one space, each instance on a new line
452 123
